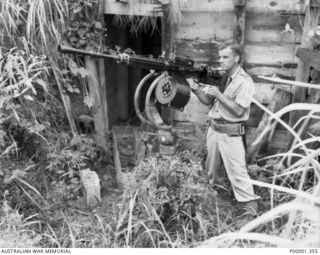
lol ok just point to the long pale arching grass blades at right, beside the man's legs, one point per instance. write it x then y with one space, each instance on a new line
301 227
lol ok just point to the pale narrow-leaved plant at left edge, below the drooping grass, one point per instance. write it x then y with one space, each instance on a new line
22 83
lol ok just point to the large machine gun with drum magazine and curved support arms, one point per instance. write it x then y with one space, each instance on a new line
171 88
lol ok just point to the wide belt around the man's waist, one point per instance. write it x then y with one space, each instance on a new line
226 127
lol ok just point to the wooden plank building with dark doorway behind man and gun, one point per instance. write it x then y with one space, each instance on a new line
270 32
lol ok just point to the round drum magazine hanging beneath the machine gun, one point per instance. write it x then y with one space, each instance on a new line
173 92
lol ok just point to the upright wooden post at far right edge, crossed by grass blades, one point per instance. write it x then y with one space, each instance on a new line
299 94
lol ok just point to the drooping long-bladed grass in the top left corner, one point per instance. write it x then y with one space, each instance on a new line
36 22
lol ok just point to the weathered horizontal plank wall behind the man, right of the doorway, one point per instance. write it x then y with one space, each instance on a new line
268 48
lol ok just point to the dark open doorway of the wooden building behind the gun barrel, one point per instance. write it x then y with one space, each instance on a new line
123 80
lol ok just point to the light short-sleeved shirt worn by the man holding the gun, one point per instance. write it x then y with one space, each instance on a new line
240 90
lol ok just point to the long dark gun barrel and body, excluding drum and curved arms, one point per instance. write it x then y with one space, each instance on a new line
176 65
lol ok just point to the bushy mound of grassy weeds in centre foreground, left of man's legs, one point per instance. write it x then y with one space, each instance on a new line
166 203
